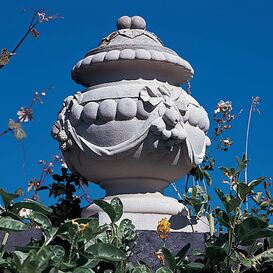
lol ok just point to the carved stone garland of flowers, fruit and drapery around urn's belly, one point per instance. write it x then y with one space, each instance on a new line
165 122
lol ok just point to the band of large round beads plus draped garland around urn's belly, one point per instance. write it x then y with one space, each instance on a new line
168 113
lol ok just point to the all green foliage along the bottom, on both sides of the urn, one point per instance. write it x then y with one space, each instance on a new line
74 244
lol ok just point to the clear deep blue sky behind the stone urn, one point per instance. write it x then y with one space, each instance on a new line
228 43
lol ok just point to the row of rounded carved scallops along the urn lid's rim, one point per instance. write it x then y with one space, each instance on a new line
132 54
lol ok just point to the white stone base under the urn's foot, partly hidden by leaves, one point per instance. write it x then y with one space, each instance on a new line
140 209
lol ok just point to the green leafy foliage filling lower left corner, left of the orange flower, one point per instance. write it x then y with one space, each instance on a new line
77 245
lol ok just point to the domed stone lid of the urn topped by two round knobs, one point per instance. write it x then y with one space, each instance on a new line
131 52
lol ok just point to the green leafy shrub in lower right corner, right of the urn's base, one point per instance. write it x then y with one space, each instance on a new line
239 247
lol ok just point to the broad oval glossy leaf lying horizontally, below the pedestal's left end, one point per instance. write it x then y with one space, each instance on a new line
107 252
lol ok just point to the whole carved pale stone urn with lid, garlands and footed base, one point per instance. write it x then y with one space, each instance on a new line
133 130
